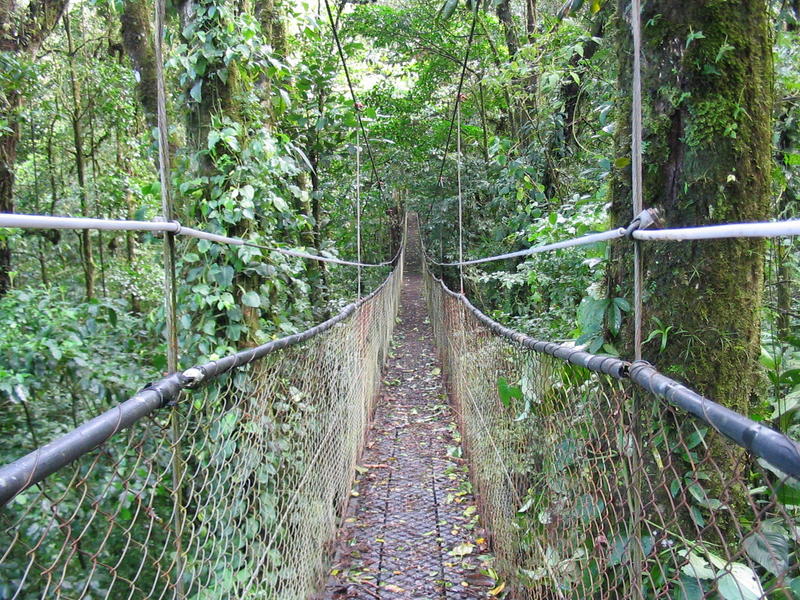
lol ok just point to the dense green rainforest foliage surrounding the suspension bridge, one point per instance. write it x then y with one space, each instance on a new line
263 143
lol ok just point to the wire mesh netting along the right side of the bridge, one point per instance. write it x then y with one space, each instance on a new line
593 488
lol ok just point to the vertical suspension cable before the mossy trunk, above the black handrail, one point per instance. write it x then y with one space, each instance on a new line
636 171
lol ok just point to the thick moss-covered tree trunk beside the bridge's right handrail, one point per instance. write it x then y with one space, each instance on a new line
707 101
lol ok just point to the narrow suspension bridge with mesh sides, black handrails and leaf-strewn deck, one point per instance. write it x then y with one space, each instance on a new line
309 467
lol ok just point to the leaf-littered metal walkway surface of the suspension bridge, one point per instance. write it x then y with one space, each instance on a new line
413 527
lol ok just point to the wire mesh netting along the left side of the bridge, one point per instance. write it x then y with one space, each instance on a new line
235 492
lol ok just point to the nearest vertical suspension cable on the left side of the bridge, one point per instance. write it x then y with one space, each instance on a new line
170 299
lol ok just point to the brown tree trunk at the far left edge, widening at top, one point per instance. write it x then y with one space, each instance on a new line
20 35
